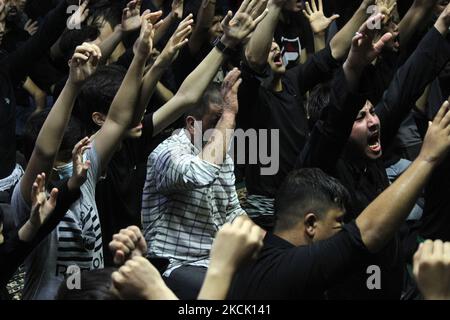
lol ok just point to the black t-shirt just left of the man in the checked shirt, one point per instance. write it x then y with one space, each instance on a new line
119 195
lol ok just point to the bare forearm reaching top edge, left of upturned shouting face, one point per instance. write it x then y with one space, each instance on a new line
258 47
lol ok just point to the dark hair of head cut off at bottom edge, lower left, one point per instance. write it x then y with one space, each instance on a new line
94 285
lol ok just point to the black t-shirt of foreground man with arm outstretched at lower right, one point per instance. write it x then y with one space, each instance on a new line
283 271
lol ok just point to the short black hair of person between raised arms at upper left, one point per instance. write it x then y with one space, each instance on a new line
98 92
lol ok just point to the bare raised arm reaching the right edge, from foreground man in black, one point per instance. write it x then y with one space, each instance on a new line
383 217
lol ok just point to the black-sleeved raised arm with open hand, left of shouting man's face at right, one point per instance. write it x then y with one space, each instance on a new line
331 133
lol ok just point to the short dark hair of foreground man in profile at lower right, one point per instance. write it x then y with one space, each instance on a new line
307 190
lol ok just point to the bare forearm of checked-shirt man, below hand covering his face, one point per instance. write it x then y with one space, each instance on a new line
216 150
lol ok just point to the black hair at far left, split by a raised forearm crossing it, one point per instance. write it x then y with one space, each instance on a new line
75 131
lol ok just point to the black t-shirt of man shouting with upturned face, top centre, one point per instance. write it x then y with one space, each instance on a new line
262 108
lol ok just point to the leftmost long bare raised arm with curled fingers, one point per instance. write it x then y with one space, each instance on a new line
82 65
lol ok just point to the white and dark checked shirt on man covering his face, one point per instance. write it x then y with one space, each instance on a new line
185 201
